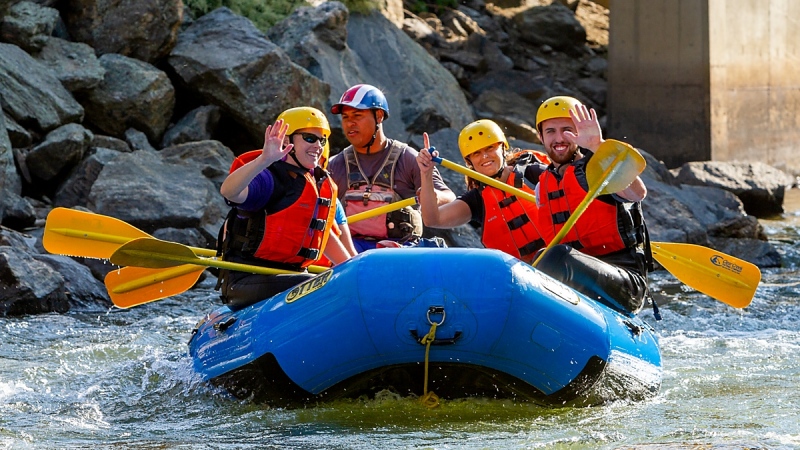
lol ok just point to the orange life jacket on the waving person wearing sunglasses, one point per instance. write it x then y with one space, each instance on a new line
293 236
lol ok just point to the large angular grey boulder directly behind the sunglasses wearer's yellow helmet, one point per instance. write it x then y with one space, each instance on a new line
225 60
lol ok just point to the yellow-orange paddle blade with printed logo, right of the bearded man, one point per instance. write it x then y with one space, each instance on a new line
730 280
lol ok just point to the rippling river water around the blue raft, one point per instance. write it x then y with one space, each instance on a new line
123 379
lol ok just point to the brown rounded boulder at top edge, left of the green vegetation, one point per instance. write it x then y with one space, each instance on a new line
142 29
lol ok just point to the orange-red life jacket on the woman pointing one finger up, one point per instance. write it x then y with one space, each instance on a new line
509 223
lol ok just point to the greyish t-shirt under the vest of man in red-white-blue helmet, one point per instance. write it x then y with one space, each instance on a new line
406 177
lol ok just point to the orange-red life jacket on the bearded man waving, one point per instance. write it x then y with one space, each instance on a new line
605 227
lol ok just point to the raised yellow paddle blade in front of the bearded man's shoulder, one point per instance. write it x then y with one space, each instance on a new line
614 166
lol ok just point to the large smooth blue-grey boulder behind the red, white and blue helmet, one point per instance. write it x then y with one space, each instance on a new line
347 49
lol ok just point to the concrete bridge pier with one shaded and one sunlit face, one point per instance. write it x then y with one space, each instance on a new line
699 80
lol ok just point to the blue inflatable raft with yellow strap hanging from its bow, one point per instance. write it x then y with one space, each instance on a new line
503 330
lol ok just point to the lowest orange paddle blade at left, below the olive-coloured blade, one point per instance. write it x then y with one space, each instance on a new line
132 286
